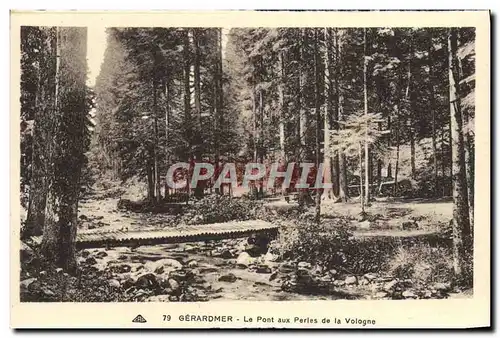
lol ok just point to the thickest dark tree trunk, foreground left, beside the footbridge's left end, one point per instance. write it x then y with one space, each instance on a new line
58 243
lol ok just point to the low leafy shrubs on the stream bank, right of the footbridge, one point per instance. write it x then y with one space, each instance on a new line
332 246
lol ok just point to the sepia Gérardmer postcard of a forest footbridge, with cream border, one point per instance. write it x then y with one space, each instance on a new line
250 169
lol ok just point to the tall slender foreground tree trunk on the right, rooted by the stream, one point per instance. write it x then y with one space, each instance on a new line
462 241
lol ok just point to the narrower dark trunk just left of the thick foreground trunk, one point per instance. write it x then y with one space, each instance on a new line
45 113
